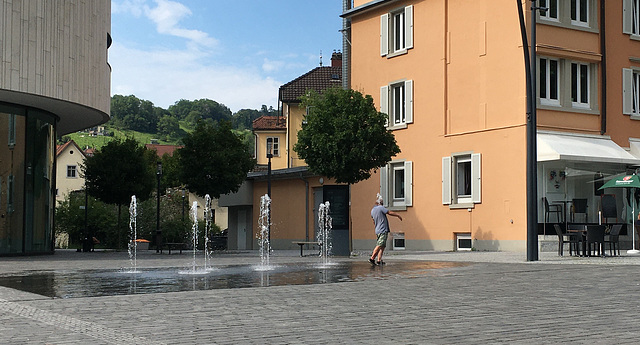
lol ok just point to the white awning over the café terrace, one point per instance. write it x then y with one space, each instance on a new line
554 146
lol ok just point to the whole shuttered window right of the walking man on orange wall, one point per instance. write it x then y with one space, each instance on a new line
461 183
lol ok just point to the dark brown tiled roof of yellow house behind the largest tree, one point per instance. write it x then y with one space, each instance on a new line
318 79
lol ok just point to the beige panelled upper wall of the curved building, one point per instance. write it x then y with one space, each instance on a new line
57 49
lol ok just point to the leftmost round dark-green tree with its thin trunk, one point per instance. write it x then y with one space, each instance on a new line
117 171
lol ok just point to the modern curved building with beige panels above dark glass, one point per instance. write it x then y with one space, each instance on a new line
54 80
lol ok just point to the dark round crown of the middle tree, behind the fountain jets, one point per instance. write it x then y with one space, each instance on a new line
214 160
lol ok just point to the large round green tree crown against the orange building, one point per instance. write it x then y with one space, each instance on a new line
344 137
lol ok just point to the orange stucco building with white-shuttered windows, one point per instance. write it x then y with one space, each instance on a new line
451 76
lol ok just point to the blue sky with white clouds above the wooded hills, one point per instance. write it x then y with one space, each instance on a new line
235 52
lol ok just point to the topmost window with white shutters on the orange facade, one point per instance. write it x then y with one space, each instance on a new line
396 25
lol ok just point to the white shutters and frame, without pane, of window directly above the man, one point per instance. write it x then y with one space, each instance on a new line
388 184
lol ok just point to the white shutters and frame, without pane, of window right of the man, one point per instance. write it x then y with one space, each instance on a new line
449 180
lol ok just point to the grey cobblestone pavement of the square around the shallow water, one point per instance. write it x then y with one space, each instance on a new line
495 298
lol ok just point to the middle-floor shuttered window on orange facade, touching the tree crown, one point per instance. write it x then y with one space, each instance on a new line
389 103
